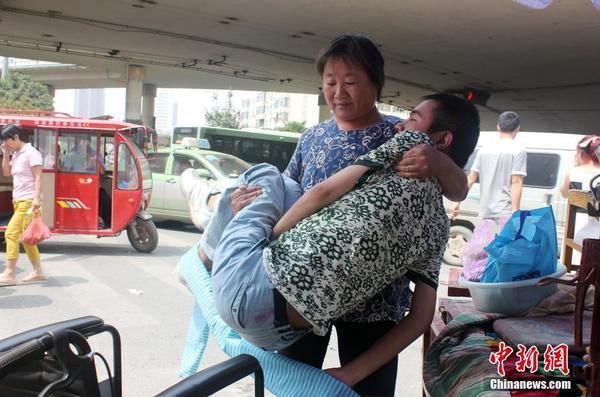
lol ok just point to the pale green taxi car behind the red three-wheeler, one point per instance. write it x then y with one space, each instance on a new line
220 170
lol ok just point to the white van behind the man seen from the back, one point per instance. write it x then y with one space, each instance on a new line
549 155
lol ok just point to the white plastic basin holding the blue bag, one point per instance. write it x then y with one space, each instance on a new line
511 298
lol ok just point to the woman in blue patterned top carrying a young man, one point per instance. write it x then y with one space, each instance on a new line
352 69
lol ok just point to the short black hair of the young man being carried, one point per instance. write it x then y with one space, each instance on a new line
461 118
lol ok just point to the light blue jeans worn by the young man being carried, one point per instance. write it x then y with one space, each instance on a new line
242 290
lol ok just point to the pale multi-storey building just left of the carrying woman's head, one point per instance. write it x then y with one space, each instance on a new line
272 110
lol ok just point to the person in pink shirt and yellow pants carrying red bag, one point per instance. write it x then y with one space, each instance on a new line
25 166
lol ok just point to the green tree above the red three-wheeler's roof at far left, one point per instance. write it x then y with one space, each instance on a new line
19 91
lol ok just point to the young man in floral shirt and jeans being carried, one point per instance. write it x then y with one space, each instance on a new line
340 243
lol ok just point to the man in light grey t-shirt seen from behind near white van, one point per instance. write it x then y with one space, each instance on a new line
500 168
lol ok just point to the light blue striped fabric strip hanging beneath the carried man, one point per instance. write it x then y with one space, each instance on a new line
283 376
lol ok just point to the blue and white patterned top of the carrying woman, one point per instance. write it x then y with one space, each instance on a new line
322 151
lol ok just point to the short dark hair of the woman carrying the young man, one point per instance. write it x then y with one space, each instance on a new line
357 50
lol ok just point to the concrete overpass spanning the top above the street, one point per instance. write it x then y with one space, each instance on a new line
542 63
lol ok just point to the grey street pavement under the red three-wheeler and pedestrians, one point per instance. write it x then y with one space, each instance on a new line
140 295
